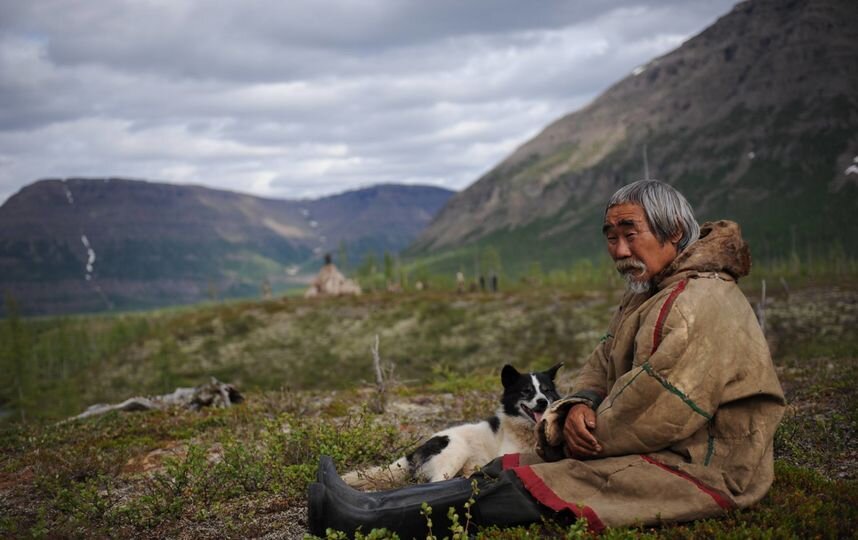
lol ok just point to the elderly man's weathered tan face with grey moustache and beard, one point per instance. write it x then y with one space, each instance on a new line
633 246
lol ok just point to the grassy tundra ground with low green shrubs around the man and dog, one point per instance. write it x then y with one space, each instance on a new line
306 371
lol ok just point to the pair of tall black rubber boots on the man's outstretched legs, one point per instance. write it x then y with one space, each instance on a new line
501 501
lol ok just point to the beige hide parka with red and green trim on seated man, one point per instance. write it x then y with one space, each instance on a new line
686 398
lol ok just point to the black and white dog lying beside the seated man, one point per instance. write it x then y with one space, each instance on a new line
463 449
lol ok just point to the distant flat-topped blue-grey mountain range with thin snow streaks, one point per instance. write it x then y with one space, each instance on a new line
93 244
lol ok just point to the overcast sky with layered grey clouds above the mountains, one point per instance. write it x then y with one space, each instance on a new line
303 98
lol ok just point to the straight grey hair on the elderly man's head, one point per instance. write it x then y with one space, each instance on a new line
667 211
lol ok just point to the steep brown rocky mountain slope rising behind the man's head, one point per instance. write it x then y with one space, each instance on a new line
755 119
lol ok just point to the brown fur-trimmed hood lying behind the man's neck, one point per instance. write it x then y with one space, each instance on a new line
720 248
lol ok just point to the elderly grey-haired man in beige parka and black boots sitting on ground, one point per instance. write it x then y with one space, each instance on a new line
671 418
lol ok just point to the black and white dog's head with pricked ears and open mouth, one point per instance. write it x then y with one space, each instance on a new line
528 395
